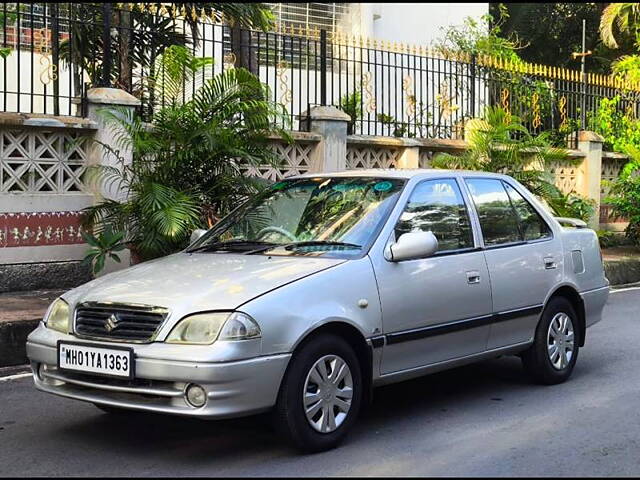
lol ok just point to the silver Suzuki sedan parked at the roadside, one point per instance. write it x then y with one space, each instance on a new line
322 287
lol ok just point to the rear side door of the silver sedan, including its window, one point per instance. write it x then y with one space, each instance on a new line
523 257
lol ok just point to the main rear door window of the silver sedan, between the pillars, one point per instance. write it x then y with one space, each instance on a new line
498 219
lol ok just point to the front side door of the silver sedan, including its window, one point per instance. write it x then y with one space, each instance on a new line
436 308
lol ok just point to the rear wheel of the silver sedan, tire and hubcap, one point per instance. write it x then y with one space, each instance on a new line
552 357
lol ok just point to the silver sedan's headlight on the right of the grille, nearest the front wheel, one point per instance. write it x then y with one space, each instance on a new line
206 328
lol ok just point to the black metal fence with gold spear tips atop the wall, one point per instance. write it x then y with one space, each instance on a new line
51 53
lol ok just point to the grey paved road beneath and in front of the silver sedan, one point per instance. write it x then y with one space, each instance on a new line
482 420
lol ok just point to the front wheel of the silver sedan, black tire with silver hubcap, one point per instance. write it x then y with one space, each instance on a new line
310 429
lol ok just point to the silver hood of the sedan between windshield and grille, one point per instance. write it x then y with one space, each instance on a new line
186 283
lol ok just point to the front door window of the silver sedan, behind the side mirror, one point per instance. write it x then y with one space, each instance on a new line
438 206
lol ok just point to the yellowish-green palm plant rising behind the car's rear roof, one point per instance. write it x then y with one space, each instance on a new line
502 144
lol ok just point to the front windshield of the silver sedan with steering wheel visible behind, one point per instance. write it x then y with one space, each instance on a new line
309 216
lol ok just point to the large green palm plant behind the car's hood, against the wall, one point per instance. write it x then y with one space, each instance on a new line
188 165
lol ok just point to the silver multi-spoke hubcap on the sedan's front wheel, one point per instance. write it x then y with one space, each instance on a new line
327 395
